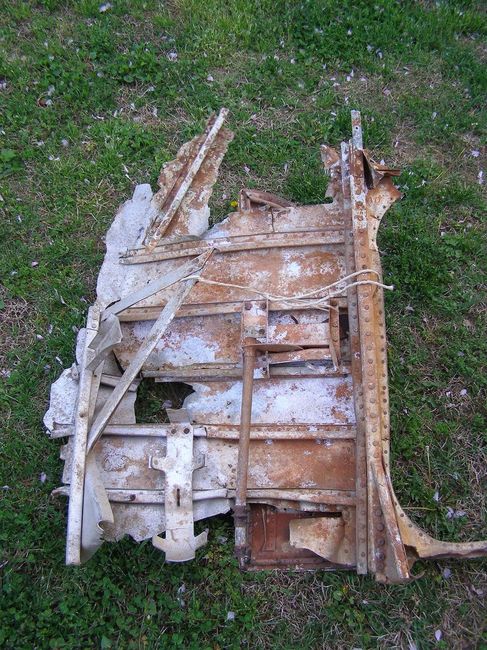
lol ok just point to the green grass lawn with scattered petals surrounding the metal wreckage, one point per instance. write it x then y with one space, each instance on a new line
90 105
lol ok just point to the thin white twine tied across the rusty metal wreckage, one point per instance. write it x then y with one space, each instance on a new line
300 300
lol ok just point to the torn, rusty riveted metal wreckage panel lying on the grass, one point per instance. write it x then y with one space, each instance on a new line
275 318
